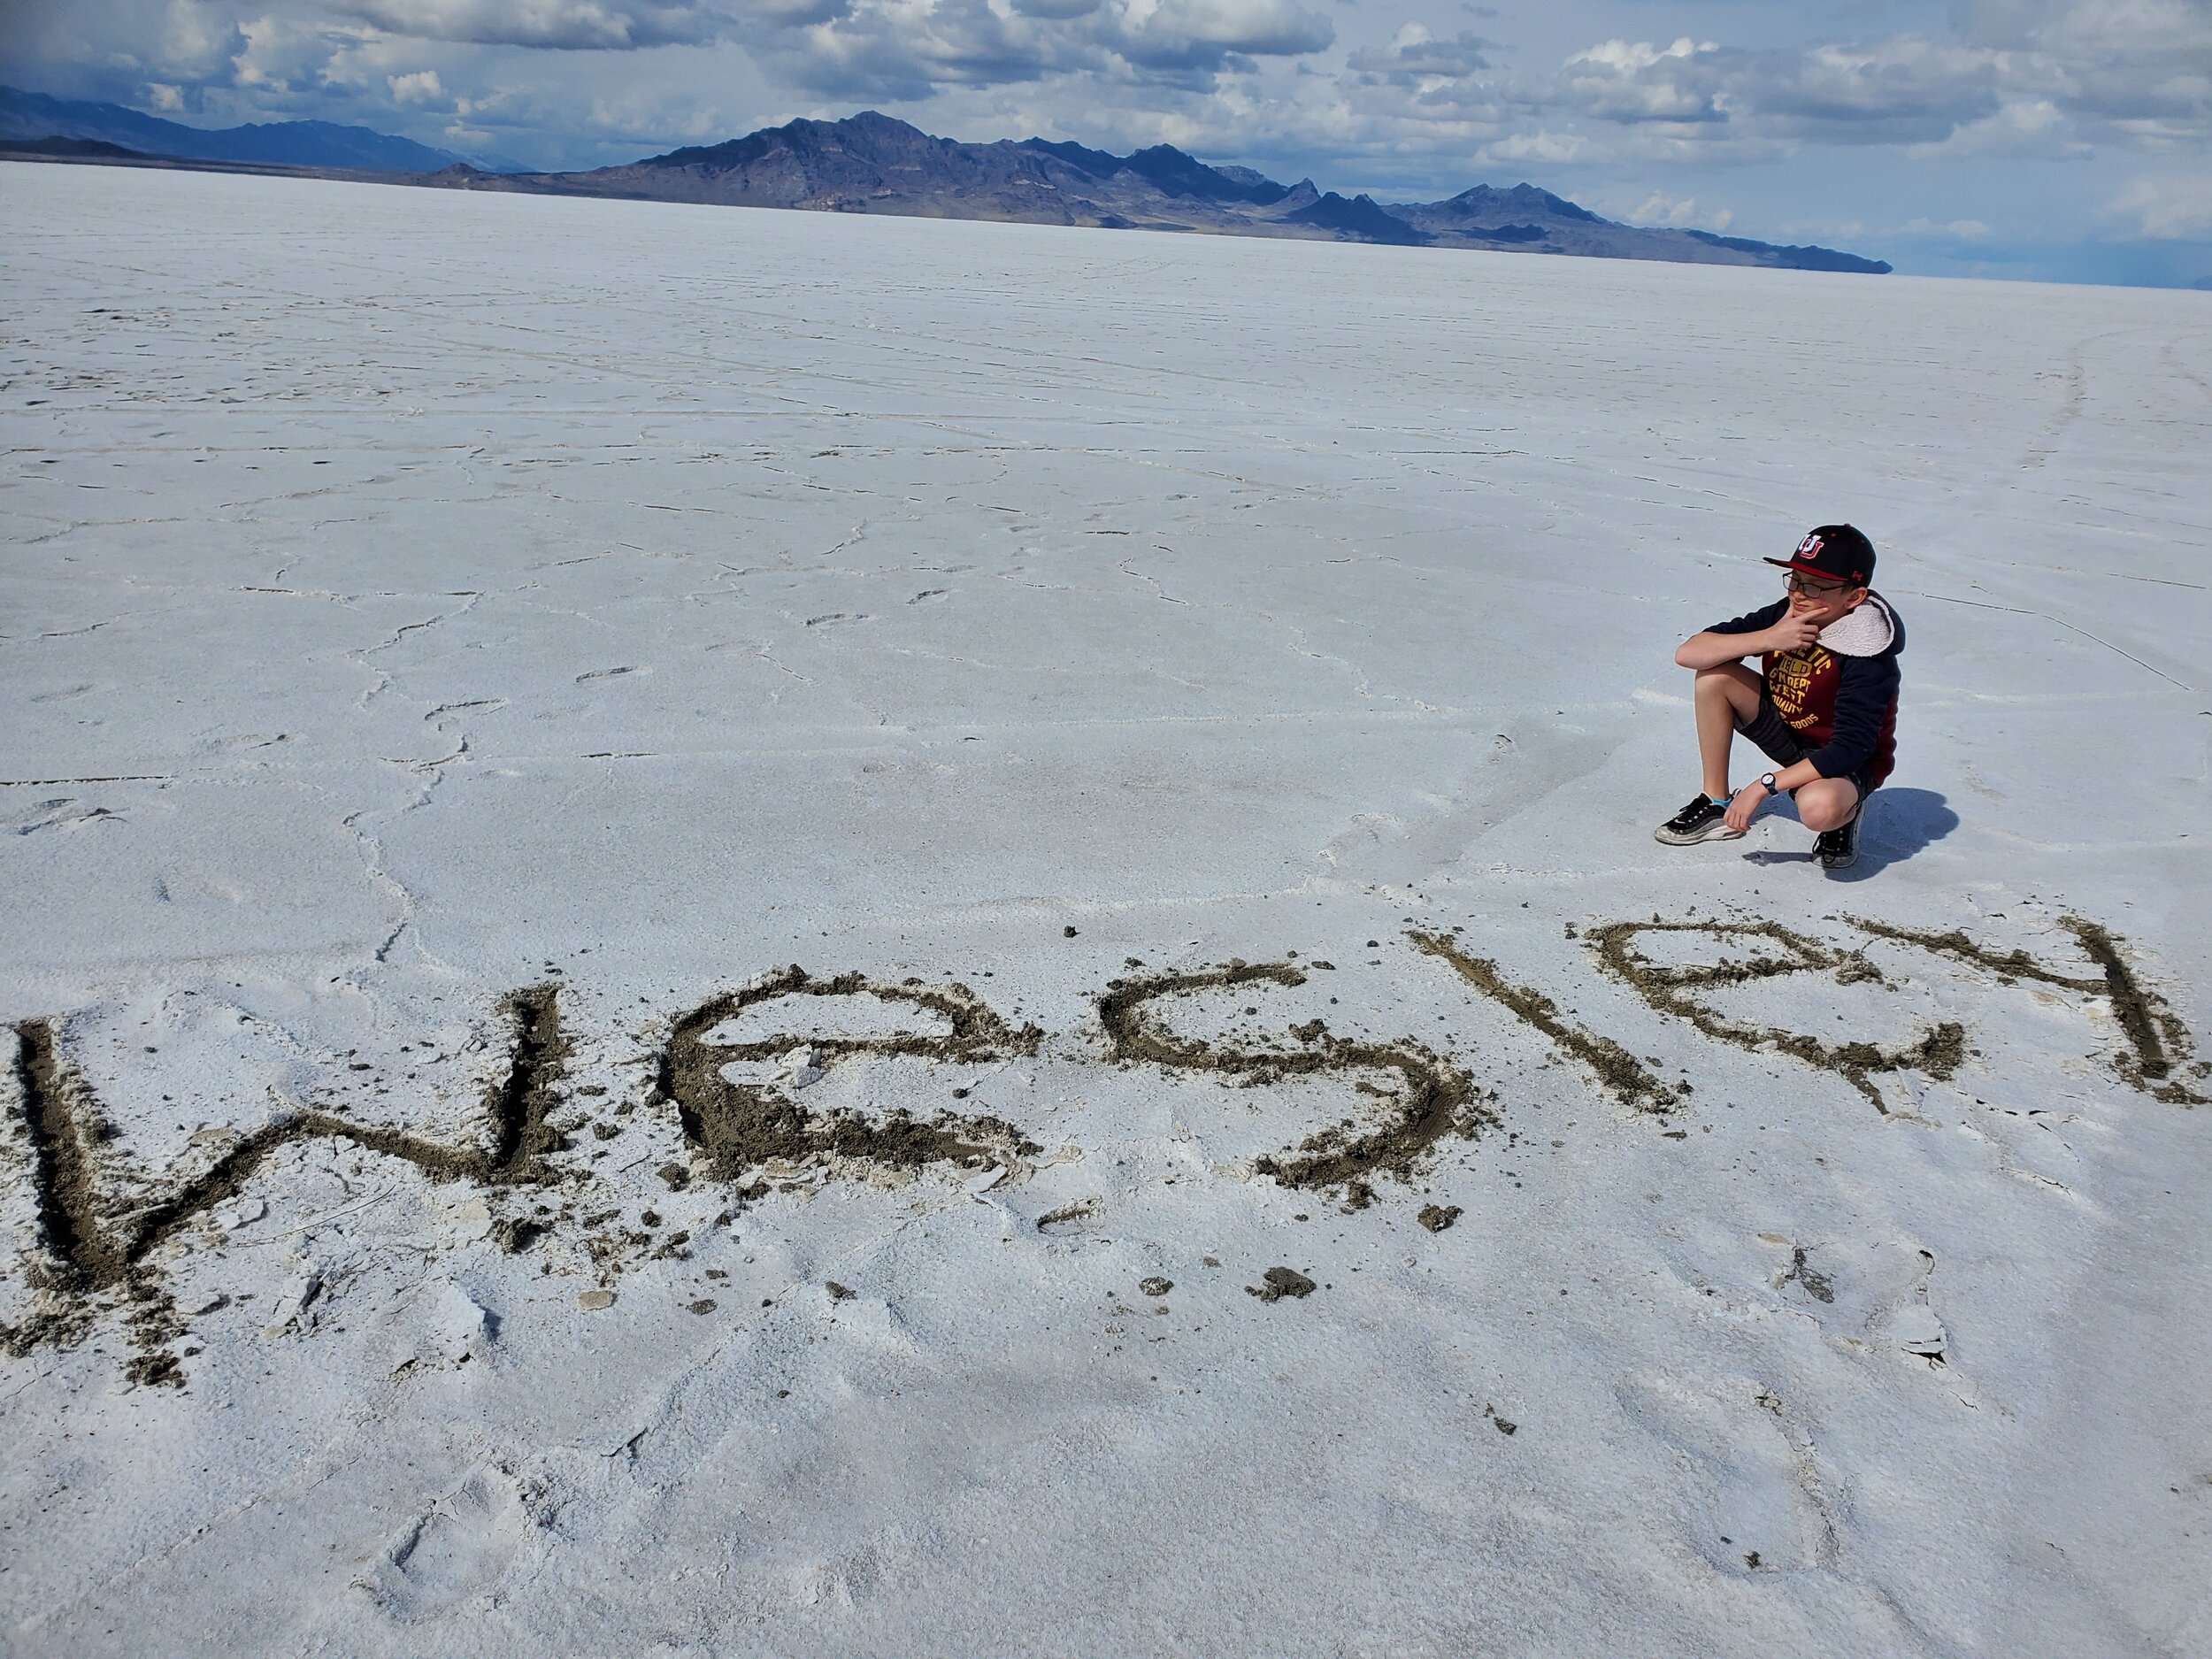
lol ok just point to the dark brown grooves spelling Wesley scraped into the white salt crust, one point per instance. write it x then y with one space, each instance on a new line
742 1127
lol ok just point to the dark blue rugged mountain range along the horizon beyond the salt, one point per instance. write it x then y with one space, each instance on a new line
879 165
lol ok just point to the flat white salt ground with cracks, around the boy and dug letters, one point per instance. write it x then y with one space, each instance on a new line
1328 607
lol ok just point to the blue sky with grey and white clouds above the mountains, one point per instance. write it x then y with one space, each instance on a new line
2021 138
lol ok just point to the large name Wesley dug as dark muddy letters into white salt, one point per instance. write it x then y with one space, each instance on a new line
105 1229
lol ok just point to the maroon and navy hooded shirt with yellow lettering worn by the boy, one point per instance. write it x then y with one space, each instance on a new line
1841 691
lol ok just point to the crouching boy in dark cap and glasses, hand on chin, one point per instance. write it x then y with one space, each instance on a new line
1824 707
